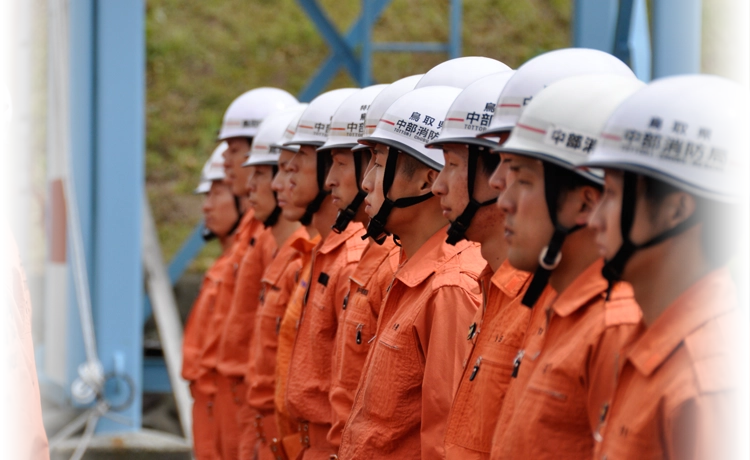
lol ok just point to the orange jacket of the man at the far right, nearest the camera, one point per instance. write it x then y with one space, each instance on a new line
681 391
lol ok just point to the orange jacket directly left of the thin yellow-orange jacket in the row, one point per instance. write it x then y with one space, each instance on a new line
278 284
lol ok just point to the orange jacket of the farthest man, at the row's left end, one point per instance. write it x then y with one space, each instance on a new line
200 316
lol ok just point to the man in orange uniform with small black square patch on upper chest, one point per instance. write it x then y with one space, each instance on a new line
334 259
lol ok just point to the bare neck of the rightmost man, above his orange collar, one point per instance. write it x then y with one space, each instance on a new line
660 284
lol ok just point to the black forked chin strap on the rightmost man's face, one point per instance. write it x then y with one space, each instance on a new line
613 268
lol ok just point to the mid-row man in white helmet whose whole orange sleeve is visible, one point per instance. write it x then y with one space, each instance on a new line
415 360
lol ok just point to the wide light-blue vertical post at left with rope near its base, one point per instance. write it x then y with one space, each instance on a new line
119 144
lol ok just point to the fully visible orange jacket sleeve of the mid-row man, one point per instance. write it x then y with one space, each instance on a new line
441 327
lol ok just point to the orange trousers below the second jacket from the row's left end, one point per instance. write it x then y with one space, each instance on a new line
229 400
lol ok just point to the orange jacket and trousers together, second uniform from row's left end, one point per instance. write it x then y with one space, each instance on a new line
226 390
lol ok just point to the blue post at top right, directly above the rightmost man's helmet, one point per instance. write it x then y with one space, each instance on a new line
677 37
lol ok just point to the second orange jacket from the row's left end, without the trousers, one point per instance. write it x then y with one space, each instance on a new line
210 353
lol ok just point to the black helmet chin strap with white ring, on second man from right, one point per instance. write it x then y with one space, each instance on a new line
550 256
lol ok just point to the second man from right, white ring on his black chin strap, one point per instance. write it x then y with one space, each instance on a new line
564 373
